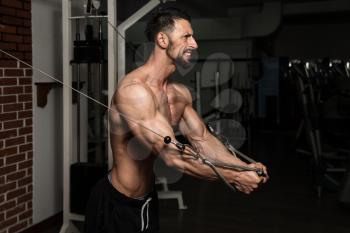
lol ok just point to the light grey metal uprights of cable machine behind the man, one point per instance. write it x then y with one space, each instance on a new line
67 43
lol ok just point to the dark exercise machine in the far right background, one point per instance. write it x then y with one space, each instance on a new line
315 85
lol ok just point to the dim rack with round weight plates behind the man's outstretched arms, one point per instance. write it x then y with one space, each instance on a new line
227 86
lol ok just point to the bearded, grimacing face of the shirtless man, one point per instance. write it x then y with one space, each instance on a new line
181 43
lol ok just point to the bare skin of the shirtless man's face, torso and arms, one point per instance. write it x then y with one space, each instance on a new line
151 102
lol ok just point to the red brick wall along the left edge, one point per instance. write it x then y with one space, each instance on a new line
16 117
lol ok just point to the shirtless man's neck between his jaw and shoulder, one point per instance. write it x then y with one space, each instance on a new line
160 67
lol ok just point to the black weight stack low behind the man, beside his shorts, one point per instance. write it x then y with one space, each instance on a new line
83 177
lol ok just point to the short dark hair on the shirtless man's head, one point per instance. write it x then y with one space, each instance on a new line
163 20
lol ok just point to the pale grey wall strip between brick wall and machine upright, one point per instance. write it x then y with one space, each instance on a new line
47 55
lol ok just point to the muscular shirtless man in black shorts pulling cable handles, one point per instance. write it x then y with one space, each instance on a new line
146 106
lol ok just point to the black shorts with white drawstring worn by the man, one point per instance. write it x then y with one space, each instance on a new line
109 211
